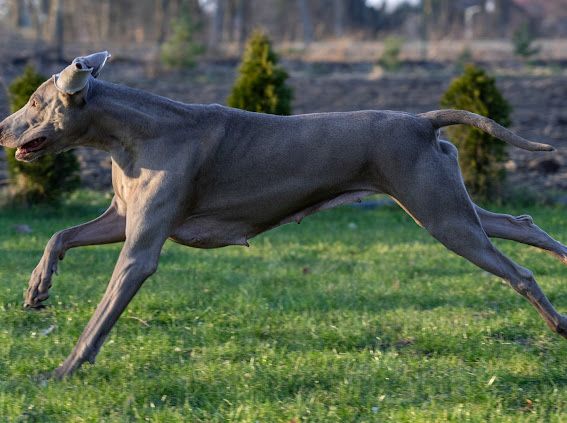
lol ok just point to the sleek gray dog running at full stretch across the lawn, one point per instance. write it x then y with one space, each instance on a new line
208 176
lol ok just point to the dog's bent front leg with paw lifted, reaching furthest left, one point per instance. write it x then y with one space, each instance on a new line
106 229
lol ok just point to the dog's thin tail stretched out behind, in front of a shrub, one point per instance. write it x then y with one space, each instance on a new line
441 118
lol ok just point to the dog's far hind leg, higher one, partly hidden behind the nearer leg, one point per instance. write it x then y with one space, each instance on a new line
521 229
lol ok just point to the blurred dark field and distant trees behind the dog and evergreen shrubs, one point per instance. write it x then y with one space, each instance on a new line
340 55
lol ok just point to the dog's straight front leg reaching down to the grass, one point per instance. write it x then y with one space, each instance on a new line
148 224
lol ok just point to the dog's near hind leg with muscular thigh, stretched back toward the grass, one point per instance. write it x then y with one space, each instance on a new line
438 199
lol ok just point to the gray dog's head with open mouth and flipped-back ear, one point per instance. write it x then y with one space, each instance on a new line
56 116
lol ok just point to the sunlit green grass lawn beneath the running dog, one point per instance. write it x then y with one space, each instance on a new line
354 315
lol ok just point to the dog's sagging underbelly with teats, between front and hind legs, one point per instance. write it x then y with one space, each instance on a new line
217 229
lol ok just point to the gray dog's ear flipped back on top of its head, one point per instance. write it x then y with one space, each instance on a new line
75 76
